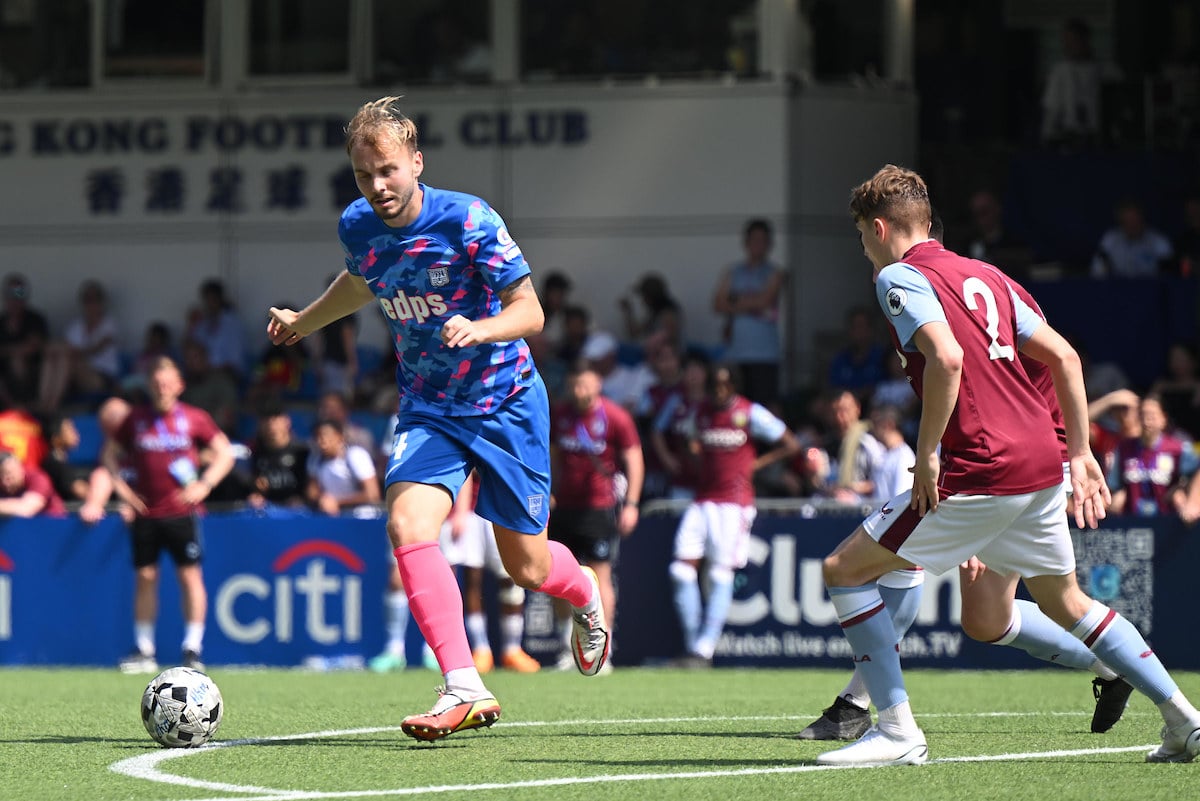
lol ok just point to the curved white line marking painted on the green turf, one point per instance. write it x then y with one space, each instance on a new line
146 767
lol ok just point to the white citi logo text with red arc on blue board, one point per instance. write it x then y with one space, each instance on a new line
249 609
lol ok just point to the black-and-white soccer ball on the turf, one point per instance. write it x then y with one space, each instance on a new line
182 708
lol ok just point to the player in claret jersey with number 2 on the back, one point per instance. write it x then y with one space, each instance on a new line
994 492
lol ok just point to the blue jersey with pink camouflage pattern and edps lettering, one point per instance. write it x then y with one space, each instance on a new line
454 260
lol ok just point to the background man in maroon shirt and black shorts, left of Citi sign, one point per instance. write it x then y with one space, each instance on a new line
161 442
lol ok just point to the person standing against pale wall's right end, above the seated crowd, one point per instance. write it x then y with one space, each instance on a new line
749 296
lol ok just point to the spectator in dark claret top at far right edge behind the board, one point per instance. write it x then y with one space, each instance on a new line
1155 474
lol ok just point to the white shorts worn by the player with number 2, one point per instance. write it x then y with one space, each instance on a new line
1024 534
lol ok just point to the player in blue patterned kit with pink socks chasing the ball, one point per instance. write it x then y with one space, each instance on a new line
458 296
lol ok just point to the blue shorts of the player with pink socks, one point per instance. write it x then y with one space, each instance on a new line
509 448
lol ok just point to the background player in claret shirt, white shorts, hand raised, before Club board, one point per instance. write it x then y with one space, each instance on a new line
716 527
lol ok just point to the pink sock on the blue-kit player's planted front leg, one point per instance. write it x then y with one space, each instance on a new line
436 603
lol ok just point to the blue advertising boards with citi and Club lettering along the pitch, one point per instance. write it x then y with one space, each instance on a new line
285 587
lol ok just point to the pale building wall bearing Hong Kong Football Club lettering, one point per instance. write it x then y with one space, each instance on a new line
155 194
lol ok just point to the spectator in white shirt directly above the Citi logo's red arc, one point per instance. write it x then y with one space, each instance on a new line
341 477
